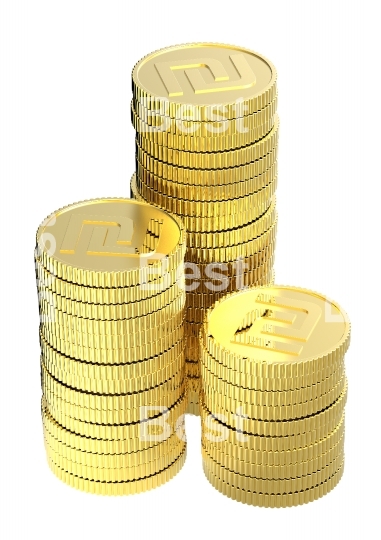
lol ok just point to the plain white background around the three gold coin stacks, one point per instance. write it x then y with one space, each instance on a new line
65 135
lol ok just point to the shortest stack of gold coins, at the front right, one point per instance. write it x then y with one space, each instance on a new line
273 395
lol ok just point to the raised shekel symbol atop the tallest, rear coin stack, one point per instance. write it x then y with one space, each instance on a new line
222 83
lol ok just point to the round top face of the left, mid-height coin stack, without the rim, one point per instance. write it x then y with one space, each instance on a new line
108 235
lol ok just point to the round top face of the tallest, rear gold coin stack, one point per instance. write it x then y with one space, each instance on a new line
204 74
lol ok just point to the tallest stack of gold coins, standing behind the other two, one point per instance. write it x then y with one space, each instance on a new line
206 150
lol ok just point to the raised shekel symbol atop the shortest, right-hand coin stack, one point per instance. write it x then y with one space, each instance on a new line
282 325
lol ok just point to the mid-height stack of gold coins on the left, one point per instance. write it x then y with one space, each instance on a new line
110 275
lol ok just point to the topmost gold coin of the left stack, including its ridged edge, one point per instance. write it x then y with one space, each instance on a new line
98 243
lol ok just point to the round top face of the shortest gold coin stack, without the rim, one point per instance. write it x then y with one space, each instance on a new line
278 324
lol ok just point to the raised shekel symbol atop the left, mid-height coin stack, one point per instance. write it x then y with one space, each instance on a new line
107 237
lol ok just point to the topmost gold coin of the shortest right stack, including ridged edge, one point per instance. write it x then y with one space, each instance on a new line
287 332
